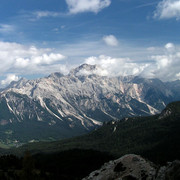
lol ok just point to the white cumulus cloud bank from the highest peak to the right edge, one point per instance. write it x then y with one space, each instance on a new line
165 66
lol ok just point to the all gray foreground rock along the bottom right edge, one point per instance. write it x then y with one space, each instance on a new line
134 167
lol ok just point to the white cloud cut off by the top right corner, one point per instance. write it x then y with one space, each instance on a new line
167 9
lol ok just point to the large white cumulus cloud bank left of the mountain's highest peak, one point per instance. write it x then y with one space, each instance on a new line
26 60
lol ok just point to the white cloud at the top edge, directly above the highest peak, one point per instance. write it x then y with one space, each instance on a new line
80 6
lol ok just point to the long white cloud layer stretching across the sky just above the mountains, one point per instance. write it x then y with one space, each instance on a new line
18 60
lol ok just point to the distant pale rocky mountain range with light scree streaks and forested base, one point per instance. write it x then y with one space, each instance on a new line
61 106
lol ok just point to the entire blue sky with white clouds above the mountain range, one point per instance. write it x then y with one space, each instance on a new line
124 37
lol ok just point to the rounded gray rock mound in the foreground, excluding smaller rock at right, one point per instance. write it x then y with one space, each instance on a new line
126 168
